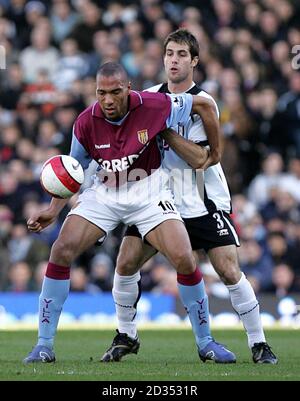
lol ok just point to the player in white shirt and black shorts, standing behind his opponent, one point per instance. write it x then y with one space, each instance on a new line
205 211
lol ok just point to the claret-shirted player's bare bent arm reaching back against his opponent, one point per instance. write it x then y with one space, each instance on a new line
206 110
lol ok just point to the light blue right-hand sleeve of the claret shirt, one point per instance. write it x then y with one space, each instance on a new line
181 108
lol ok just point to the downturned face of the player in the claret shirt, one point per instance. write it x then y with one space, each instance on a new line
112 94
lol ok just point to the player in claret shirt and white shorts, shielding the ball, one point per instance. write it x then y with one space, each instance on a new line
120 131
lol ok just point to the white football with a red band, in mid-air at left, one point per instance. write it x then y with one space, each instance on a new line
61 176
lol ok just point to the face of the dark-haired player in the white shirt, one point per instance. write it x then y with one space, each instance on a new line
178 62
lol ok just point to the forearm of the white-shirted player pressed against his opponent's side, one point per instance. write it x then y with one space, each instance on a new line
193 154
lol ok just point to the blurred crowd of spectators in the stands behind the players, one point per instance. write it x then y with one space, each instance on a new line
53 49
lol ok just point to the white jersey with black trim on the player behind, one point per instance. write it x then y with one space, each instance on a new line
197 193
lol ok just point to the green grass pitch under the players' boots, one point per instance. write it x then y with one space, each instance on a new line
164 355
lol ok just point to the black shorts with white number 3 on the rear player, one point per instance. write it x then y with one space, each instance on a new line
206 232
